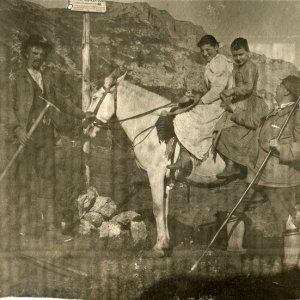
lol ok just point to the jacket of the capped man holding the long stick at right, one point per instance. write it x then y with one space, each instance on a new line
282 171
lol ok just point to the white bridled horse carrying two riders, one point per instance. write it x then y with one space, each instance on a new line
138 110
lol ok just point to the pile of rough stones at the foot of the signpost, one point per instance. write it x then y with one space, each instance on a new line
99 215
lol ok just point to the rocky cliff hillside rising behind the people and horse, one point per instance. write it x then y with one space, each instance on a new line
158 50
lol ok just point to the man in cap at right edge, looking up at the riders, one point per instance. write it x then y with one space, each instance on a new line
280 179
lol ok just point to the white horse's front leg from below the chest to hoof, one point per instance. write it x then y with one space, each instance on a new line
156 179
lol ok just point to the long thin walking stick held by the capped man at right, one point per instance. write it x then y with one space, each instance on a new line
248 188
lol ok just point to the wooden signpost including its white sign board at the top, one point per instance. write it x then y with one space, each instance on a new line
86 6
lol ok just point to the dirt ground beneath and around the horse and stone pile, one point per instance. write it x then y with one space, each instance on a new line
88 268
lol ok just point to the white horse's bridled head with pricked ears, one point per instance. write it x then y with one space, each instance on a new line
104 101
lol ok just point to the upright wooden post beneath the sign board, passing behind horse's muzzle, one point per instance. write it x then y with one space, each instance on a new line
86 88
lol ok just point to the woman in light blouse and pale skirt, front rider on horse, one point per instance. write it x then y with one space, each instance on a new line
194 128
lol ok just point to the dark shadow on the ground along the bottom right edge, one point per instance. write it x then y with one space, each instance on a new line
285 286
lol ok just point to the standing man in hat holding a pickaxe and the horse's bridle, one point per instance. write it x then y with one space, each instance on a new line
23 107
